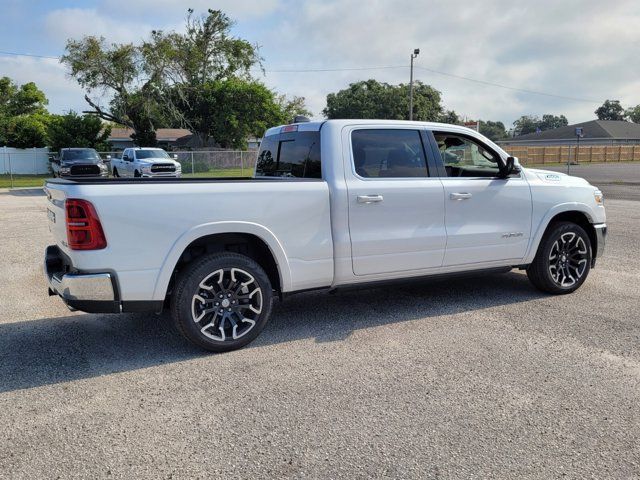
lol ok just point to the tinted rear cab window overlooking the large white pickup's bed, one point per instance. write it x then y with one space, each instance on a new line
294 155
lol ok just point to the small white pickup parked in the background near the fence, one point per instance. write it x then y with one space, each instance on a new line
145 162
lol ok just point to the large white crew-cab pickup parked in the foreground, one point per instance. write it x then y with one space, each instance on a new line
331 204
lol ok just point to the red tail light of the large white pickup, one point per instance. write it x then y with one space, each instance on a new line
84 231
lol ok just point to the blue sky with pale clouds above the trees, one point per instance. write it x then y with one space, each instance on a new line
575 48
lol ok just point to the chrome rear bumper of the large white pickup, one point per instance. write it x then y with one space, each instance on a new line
89 292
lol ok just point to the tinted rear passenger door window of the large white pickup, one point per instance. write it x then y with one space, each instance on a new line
388 153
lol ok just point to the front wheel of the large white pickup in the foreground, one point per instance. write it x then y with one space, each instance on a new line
560 269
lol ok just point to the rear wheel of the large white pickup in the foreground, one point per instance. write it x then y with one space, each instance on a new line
246 317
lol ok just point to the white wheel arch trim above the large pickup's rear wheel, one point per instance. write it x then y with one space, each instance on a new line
260 231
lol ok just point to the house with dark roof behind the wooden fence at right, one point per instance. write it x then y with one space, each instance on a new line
596 132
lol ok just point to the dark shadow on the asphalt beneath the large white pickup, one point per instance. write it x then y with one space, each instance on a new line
49 351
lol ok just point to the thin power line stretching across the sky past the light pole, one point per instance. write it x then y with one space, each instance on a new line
381 67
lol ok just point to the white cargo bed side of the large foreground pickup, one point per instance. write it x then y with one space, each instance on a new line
149 223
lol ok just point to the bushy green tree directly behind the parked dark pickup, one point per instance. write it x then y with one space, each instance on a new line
73 130
